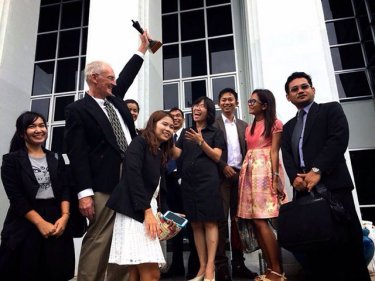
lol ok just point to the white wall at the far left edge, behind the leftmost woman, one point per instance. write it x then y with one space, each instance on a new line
18 27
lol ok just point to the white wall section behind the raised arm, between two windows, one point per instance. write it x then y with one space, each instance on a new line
113 39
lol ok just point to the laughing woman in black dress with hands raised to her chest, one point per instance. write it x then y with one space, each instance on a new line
200 148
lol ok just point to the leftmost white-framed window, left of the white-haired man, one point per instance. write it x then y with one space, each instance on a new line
60 59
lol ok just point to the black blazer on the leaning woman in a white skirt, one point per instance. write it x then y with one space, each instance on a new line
141 173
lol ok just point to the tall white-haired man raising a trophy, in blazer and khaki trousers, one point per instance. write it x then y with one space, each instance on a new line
98 129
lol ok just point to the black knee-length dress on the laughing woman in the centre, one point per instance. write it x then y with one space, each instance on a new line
200 177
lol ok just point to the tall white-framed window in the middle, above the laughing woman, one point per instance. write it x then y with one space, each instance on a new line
198 51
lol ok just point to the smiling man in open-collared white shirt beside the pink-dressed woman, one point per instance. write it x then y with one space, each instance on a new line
230 165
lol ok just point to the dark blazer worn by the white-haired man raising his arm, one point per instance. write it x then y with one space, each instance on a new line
89 140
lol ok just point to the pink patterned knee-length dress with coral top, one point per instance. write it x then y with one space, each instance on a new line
256 199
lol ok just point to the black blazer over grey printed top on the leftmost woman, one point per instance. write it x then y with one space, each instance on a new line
21 187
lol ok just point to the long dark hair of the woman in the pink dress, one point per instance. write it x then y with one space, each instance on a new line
266 97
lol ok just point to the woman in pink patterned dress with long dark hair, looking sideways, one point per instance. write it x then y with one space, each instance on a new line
261 180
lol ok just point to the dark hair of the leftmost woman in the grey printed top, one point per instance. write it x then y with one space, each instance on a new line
23 121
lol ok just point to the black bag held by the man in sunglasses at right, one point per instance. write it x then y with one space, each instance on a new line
312 222
